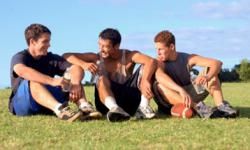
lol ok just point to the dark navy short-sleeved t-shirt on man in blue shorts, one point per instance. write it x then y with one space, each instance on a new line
51 65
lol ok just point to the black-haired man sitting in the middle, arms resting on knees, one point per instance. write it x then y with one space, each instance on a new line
119 93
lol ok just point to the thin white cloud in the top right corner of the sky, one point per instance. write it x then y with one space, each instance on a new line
227 10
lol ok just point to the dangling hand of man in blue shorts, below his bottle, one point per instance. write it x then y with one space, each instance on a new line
75 92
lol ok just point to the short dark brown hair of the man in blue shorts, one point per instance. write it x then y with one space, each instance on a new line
34 31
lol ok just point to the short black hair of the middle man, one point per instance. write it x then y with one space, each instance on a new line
111 34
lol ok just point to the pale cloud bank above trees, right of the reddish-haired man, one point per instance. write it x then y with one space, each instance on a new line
228 45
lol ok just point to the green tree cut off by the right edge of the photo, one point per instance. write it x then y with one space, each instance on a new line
244 70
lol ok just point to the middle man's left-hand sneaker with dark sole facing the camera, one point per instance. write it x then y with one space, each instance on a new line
117 114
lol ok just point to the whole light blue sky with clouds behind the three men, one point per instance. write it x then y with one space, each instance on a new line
212 28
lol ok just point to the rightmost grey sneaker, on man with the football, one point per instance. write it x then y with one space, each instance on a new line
228 110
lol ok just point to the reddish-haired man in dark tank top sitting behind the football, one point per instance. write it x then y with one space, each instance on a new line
174 82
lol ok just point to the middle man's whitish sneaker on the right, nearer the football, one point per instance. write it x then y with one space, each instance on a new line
144 113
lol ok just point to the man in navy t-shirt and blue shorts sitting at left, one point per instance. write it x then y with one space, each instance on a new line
34 88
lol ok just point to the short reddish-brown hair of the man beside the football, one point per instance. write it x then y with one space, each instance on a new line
166 37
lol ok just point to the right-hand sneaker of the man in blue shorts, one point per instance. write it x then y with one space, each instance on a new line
88 112
